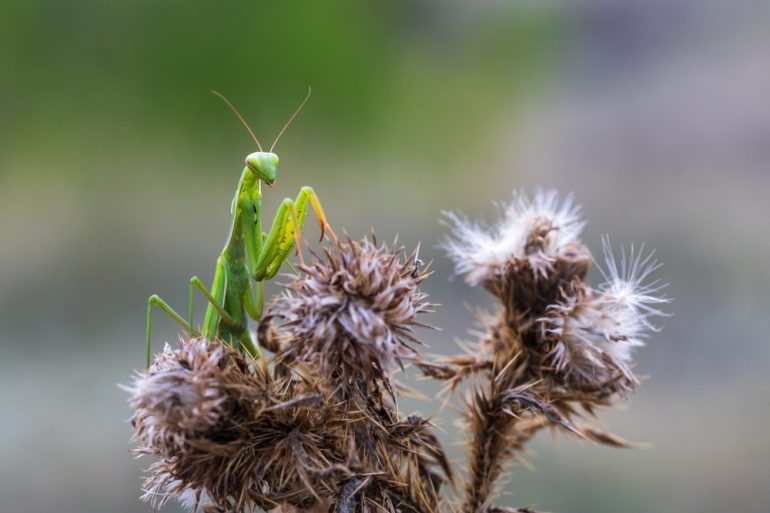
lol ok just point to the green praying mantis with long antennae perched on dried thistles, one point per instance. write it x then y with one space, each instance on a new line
249 254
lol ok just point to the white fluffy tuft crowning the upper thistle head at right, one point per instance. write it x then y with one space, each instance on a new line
532 232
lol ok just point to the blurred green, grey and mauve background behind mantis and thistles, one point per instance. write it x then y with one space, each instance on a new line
117 168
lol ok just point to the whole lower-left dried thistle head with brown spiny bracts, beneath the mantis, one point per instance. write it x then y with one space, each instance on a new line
231 434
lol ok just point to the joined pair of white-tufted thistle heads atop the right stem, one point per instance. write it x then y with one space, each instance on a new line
566 334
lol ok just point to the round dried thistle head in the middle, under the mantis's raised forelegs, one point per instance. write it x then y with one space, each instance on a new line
353 310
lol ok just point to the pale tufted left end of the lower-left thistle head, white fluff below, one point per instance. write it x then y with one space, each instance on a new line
185 399
